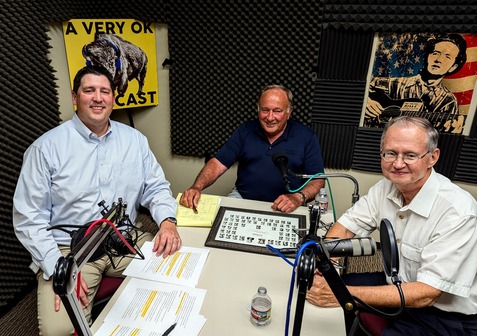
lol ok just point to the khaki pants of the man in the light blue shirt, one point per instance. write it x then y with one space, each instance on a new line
54 323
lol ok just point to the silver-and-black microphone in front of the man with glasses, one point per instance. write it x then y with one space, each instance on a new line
351 247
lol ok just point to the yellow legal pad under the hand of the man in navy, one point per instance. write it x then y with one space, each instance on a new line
206 212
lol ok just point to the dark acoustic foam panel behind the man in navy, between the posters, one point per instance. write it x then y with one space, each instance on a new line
224 55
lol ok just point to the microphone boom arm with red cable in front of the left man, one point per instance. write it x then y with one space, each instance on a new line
67 268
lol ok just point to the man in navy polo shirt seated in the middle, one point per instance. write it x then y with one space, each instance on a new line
253 144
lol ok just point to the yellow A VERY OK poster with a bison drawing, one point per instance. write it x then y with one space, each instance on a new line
125 47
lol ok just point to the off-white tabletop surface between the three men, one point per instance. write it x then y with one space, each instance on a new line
231 278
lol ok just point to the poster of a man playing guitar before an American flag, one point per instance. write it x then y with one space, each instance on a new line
425 74
